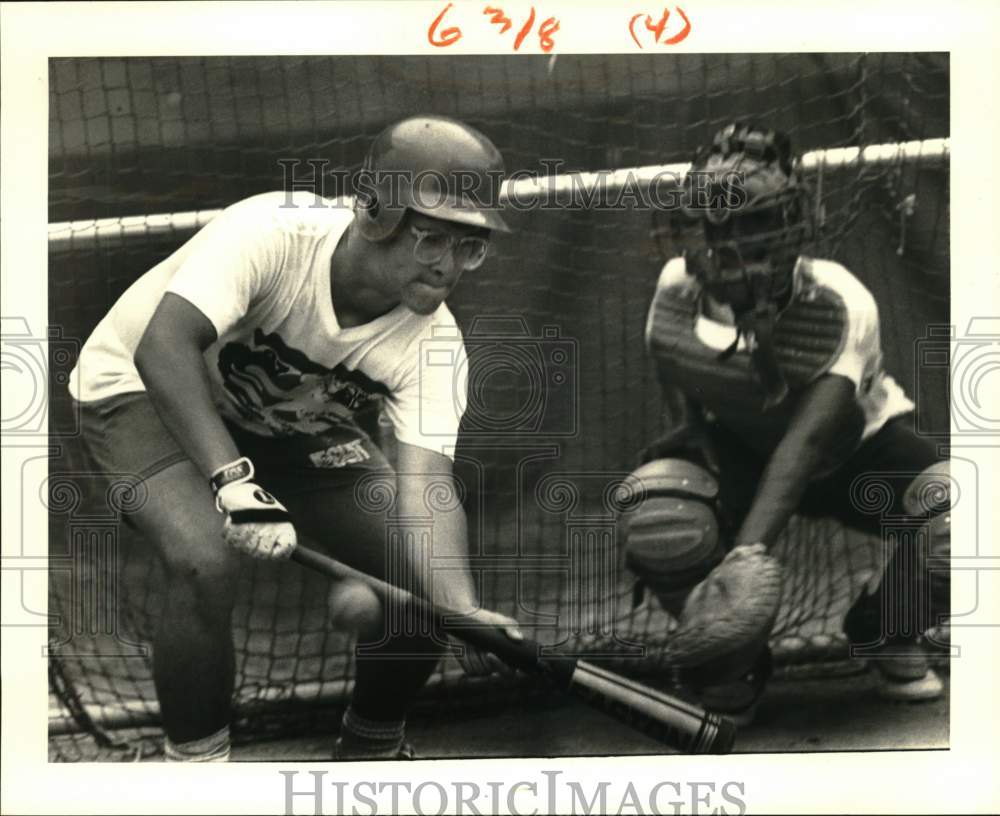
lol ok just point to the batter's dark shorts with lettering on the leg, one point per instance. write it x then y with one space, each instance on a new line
125 437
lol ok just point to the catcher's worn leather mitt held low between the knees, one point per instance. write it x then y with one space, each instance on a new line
728 617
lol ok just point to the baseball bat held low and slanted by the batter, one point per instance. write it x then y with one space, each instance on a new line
670 720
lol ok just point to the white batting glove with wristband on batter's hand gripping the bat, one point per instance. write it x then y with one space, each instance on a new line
256 522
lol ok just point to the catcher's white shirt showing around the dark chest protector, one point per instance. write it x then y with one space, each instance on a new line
860 360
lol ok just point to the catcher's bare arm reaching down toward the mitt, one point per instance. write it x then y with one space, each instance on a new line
827 419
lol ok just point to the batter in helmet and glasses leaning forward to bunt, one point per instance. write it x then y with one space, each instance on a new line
233 380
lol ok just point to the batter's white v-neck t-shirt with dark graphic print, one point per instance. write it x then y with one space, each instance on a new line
282 364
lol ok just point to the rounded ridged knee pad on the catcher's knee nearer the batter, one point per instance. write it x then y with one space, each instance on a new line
670 525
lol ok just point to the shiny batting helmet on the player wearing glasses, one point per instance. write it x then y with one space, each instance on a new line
435 166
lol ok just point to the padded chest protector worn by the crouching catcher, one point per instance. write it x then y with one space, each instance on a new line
808 337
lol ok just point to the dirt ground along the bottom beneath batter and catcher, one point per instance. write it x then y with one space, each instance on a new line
834 714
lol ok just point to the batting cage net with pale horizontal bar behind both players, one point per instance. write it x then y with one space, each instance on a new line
562 395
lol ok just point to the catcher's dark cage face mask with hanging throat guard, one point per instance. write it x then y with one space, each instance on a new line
747 220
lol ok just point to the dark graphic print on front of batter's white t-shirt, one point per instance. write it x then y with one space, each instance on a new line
281 387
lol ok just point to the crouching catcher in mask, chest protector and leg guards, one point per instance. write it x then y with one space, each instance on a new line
773 361
